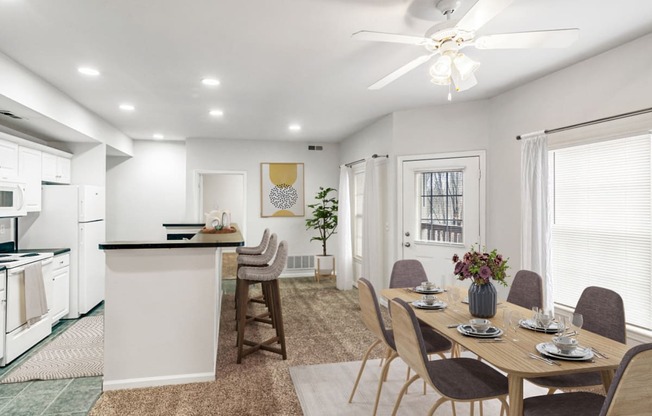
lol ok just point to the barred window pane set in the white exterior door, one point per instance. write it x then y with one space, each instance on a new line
441 207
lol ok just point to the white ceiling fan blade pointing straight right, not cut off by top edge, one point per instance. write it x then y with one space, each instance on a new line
539 39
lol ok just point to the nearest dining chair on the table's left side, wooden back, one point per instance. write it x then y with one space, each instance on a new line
458 379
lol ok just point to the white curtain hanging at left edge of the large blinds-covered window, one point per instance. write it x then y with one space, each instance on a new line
536 210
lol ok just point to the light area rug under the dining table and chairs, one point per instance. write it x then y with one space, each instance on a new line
324 389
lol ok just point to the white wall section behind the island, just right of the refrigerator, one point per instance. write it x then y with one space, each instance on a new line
145 191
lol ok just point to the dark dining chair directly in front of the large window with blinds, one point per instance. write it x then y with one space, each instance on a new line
604 314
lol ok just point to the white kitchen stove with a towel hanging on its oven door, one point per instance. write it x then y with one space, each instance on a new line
19 335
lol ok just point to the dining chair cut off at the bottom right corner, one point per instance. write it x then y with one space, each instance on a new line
629 393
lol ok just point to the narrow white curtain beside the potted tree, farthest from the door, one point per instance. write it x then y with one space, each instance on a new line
344 235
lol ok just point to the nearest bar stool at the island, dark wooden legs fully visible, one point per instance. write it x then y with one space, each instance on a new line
268 277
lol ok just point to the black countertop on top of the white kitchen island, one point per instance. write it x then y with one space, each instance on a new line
199 240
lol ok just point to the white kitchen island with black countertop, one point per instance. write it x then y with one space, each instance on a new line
162 309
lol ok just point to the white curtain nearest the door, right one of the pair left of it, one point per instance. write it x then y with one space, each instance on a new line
372 256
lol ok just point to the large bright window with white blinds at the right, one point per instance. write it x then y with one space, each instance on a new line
601 232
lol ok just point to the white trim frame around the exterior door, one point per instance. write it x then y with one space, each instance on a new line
480 154
